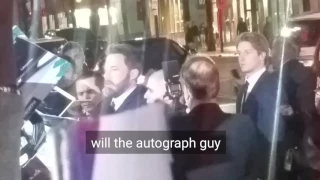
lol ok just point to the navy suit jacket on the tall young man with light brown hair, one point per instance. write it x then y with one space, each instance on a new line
260 105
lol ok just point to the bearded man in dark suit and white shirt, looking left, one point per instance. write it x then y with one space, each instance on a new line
121 68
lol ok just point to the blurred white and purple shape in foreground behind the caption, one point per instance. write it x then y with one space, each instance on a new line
122 166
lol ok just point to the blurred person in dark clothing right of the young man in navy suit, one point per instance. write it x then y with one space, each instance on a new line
299 83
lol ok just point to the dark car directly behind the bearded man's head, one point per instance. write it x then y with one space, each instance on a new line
157 50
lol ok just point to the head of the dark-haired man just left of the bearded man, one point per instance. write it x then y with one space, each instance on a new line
88 88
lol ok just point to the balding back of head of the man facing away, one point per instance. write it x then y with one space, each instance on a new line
200 79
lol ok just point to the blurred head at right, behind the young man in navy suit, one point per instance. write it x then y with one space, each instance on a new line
284 49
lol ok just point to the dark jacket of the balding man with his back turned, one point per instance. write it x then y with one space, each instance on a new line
235 164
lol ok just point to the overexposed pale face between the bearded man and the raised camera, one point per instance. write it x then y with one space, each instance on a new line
156 90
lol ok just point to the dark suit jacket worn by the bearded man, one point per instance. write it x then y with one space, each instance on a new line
133 101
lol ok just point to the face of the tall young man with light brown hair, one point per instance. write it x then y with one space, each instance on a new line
249 58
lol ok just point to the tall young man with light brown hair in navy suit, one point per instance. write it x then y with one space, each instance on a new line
259 99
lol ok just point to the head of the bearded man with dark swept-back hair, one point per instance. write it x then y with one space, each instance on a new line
121 68
